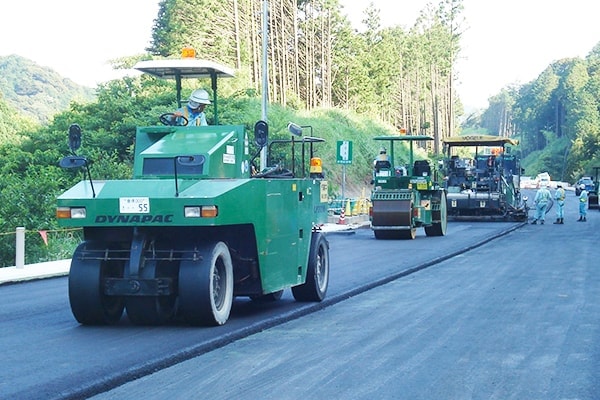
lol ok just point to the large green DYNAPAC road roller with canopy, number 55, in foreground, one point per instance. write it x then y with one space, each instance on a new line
199 223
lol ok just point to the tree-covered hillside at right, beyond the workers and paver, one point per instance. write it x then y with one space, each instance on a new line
556 117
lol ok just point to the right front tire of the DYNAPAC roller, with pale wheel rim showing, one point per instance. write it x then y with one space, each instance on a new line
206 285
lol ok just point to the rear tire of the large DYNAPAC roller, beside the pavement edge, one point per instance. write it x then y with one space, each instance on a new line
317 272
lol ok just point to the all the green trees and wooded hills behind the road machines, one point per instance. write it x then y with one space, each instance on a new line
346 84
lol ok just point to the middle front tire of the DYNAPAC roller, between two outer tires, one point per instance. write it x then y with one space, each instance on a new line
153 310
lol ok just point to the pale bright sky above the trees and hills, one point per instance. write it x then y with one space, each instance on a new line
505 42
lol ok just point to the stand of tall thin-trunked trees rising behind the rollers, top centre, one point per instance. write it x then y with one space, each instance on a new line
317 60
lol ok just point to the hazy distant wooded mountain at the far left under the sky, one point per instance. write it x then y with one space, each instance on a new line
38 92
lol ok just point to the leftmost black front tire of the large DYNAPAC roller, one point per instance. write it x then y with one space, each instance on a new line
90 306
